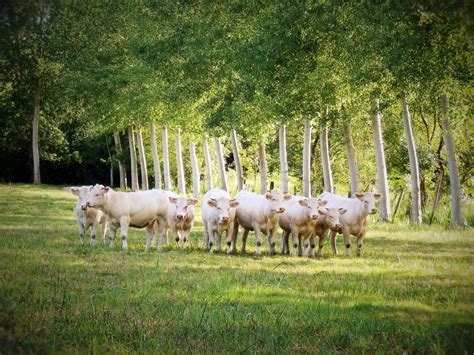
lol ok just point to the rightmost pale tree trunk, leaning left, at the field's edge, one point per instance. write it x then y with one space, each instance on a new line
457 217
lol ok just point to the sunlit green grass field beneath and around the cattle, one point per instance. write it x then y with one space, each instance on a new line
411 291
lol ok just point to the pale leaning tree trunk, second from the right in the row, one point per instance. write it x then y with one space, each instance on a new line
414 169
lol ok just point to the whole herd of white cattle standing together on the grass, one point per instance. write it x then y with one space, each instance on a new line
159 211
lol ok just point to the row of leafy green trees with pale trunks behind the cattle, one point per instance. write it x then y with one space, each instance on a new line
85 71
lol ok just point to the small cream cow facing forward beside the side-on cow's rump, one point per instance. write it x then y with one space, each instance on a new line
180 217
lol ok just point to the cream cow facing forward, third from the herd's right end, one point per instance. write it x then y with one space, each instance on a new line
299 218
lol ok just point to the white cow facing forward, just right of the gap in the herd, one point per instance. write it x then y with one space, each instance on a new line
218 213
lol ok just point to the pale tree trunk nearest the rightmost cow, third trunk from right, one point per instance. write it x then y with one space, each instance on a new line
382 180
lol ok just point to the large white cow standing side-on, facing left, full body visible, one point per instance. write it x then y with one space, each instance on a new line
131 209
